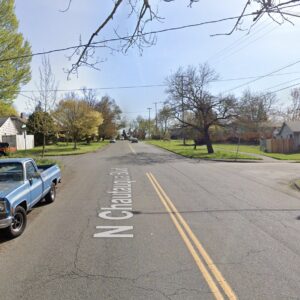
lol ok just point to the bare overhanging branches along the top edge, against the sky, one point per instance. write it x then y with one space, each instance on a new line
143 13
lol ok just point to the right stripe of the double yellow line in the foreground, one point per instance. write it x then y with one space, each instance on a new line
210 264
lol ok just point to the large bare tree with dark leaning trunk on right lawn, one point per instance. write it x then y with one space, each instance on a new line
192 95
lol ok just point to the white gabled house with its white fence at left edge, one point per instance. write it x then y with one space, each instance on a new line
12 132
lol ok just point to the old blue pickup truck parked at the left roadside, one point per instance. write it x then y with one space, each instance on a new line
22 185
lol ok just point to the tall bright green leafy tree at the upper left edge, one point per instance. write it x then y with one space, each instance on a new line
14 54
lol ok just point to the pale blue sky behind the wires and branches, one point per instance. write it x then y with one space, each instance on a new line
243 54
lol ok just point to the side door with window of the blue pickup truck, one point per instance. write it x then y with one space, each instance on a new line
36 183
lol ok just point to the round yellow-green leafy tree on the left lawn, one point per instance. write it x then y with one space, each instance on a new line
77 118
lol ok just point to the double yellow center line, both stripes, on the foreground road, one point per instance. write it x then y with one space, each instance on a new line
210 272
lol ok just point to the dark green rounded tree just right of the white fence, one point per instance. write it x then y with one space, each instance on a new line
41 124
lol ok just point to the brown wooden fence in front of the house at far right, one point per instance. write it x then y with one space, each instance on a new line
278 145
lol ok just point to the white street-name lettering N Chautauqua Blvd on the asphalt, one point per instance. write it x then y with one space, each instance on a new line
120 208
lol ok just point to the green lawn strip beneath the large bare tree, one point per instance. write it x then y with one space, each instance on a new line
201 151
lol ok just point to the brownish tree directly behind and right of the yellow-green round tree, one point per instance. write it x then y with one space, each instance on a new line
111 113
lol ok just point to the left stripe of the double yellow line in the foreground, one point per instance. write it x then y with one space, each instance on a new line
215 290
